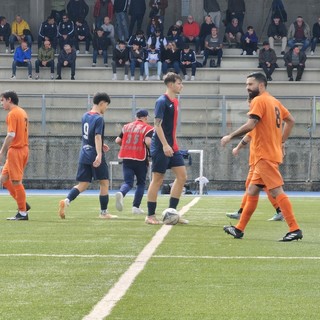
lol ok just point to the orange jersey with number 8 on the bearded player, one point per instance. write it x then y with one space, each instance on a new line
267 138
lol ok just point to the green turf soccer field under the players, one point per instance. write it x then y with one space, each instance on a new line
61 269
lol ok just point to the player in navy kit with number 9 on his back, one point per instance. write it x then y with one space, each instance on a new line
92 163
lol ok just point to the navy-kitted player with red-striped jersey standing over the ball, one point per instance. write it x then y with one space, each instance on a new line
164 148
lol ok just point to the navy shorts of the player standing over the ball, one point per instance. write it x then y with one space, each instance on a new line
160 162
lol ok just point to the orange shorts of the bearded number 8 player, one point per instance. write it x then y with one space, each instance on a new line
267 173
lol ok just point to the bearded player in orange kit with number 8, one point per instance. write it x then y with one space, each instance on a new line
272 124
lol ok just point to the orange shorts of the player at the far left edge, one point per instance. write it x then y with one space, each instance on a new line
16 162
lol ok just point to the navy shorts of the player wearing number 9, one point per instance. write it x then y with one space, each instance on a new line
87 172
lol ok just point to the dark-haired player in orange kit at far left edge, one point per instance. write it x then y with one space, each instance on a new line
16 149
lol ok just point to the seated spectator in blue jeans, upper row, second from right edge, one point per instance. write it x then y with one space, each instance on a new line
299 32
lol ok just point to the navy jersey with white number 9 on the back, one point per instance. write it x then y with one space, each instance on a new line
92 124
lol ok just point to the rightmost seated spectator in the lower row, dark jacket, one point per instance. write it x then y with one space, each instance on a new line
295 58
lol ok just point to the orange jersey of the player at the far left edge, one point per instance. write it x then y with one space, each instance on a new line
17 122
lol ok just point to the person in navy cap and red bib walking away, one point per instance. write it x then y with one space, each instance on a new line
134 141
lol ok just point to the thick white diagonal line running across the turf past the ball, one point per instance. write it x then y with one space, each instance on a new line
104 307
